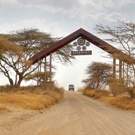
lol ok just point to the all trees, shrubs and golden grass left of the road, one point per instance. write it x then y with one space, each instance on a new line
15 51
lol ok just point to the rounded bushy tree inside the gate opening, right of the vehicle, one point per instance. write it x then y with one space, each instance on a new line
98 75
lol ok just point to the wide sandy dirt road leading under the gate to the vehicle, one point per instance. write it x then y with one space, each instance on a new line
75 115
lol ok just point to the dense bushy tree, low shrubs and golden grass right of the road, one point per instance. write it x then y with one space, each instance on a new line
102 86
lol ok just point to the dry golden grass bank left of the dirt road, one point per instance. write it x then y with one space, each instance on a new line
30 98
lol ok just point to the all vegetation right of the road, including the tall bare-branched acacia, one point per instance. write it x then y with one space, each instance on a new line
101 83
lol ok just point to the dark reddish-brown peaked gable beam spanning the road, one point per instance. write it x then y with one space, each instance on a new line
88 36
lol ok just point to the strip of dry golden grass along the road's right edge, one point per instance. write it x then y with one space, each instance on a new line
122 102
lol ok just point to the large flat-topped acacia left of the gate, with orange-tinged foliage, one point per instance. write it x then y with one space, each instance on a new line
17 48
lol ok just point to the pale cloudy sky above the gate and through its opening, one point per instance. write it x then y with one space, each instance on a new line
60 18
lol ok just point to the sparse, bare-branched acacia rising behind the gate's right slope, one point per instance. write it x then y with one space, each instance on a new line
124 36
